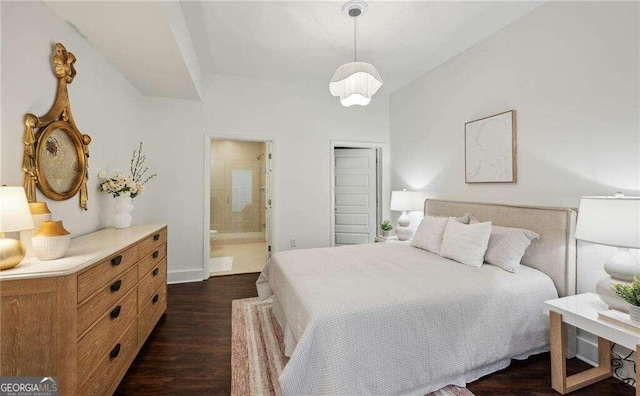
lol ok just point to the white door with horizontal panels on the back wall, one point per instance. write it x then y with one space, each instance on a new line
355 188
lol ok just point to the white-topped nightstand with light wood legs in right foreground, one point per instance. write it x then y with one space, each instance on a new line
581 311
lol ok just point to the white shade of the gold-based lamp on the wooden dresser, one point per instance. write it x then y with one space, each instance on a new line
14 210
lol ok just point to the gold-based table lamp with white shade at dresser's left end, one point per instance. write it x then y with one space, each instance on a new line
14 216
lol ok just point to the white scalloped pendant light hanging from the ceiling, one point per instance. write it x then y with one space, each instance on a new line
355 82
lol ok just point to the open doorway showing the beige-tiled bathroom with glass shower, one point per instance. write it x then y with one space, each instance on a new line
239 206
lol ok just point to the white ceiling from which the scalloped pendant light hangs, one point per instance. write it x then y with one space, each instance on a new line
168 48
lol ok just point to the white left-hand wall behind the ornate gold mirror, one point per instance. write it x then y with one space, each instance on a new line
104 104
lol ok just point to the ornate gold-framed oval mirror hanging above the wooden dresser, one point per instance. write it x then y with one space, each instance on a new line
55 152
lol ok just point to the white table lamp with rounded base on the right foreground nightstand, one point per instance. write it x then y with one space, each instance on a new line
612 221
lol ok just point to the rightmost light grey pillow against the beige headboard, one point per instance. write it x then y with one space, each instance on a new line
507 246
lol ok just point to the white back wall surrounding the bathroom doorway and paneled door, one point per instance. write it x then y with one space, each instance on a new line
301 120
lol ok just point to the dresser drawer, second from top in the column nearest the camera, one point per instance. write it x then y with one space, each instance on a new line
106 298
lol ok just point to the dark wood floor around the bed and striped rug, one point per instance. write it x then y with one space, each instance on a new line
189 352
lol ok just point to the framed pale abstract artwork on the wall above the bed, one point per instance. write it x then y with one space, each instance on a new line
490 149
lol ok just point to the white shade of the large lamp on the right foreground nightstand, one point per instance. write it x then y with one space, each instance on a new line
613 221
